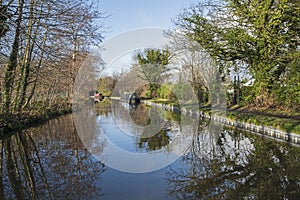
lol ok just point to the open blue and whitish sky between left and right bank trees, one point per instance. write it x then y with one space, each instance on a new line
126 16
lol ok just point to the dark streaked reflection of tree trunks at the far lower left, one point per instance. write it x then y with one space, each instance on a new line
22 172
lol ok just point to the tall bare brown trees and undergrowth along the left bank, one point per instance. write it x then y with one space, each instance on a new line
42 46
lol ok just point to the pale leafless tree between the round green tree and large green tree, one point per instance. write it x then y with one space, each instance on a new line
197 67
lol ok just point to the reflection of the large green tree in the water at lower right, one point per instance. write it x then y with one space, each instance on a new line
234 166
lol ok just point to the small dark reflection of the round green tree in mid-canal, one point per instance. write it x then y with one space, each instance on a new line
155 142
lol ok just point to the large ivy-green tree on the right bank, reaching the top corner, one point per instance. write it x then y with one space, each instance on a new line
262 35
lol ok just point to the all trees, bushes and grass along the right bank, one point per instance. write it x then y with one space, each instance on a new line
247 50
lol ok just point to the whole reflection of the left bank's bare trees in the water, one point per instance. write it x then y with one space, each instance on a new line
48 162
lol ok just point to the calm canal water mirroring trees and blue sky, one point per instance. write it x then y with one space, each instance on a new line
113 151
